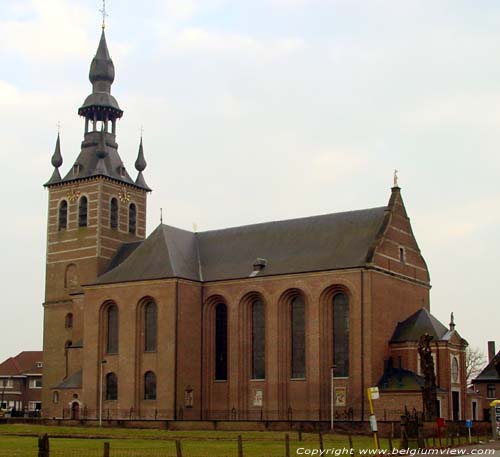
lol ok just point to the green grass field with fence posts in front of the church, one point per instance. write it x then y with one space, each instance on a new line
21 440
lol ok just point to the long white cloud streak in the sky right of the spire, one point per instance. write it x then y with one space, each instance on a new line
194 39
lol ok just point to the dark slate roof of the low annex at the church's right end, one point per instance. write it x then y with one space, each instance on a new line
419 323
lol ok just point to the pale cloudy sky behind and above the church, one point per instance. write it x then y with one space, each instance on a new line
265 110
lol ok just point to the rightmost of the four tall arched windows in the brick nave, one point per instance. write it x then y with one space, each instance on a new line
341 335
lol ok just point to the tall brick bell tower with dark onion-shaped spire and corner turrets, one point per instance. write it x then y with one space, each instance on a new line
93 210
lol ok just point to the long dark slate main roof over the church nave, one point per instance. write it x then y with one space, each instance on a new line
318 243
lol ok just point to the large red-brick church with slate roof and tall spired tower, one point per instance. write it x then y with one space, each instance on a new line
276 320
